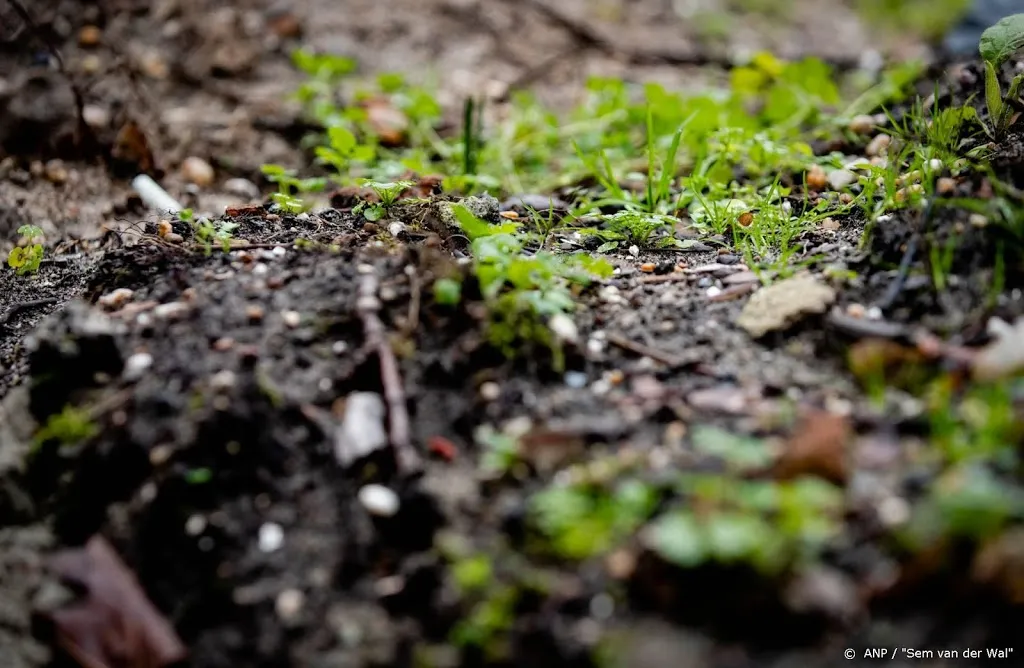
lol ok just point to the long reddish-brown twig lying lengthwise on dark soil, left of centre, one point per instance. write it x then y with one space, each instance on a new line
368 307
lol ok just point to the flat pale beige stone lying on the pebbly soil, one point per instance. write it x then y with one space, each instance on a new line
781 305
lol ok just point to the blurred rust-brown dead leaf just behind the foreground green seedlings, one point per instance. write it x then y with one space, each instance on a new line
817 448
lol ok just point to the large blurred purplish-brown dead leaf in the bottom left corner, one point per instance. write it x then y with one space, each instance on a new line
114 625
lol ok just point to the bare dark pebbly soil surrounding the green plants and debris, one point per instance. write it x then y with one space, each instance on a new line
215 378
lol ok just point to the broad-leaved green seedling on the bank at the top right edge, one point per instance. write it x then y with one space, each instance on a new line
999 45
